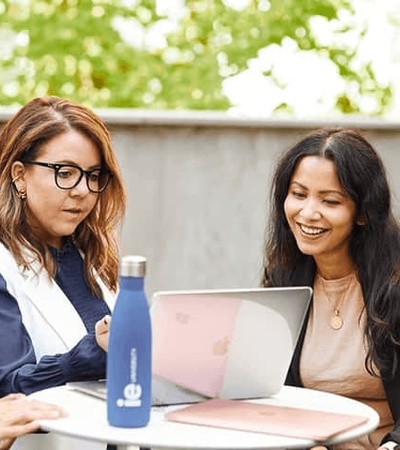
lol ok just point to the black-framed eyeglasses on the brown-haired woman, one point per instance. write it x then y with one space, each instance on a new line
67 176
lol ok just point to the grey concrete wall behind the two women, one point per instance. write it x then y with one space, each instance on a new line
198 189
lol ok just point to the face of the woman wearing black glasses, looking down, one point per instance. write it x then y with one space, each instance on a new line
53 212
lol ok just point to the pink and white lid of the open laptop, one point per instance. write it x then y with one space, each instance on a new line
235 343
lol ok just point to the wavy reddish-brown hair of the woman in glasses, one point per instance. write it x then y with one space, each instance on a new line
21 138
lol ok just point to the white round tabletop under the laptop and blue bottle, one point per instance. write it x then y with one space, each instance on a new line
87 420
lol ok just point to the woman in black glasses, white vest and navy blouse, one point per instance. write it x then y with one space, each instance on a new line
61 199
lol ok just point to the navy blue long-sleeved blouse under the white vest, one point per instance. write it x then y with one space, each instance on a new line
19 369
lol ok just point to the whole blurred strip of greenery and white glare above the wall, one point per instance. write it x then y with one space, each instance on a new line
252 57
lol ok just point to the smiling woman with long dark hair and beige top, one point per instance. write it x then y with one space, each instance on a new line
332 228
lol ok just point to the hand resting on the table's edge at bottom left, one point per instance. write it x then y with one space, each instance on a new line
19 416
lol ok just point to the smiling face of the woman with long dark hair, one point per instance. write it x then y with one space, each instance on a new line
320 214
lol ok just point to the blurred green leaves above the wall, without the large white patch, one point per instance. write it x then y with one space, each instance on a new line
120 53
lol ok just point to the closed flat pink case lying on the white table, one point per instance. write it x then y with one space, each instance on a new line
271 419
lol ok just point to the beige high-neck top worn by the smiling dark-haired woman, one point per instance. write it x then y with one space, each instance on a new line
333 360
